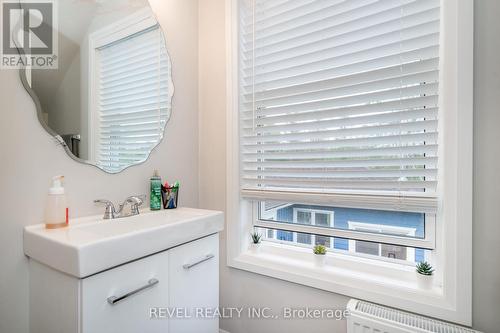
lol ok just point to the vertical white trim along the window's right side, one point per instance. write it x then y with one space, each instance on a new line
455 256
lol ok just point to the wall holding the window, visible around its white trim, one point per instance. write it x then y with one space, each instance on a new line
239 288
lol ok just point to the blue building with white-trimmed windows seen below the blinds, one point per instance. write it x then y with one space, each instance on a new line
364 220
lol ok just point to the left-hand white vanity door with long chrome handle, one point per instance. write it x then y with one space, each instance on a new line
120 300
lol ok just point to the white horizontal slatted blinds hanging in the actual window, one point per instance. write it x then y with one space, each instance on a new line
340 98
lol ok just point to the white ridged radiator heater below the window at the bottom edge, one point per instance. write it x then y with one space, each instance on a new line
366 317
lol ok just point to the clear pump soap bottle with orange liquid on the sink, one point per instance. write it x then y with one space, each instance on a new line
56 211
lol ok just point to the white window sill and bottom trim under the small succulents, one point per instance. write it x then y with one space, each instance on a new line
372 280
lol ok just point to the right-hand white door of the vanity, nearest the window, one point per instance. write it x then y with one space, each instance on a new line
194 285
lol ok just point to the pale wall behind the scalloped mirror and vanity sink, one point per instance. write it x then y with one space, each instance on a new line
30 158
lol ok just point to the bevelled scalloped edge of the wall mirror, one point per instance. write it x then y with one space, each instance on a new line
59 140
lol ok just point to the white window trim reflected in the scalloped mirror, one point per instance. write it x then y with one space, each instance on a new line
136 22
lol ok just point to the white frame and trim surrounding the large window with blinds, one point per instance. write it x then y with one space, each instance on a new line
395 284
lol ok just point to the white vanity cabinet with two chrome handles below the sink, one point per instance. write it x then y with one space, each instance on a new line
182 281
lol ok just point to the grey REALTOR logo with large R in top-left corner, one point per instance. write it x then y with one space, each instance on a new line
29 34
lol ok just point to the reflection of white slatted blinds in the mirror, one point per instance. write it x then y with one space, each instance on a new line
133 105
